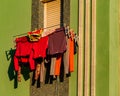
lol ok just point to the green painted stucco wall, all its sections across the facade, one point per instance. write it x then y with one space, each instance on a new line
15 18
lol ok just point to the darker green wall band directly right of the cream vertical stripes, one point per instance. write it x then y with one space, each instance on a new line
102 48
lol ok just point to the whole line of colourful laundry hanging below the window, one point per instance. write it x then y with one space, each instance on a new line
41 47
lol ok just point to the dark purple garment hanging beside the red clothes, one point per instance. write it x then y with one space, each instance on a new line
57 42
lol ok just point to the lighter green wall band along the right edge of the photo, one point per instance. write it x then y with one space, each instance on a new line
114 49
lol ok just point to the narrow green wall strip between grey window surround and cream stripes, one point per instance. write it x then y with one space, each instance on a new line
74 26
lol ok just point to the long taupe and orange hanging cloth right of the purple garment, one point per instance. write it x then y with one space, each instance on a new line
68 56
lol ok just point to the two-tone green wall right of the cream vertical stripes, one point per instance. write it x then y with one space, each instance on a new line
107 48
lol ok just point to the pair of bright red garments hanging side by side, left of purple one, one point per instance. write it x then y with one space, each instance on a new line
29 50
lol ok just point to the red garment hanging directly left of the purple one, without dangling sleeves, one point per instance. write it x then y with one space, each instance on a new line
40 47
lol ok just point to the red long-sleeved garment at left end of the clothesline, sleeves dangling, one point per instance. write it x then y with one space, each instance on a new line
23 53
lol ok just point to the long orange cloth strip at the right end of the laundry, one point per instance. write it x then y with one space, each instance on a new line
71 55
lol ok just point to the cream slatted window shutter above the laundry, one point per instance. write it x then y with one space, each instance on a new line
52 14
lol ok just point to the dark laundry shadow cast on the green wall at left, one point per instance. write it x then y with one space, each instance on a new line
12 74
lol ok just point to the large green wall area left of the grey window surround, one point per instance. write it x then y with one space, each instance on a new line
15 18
